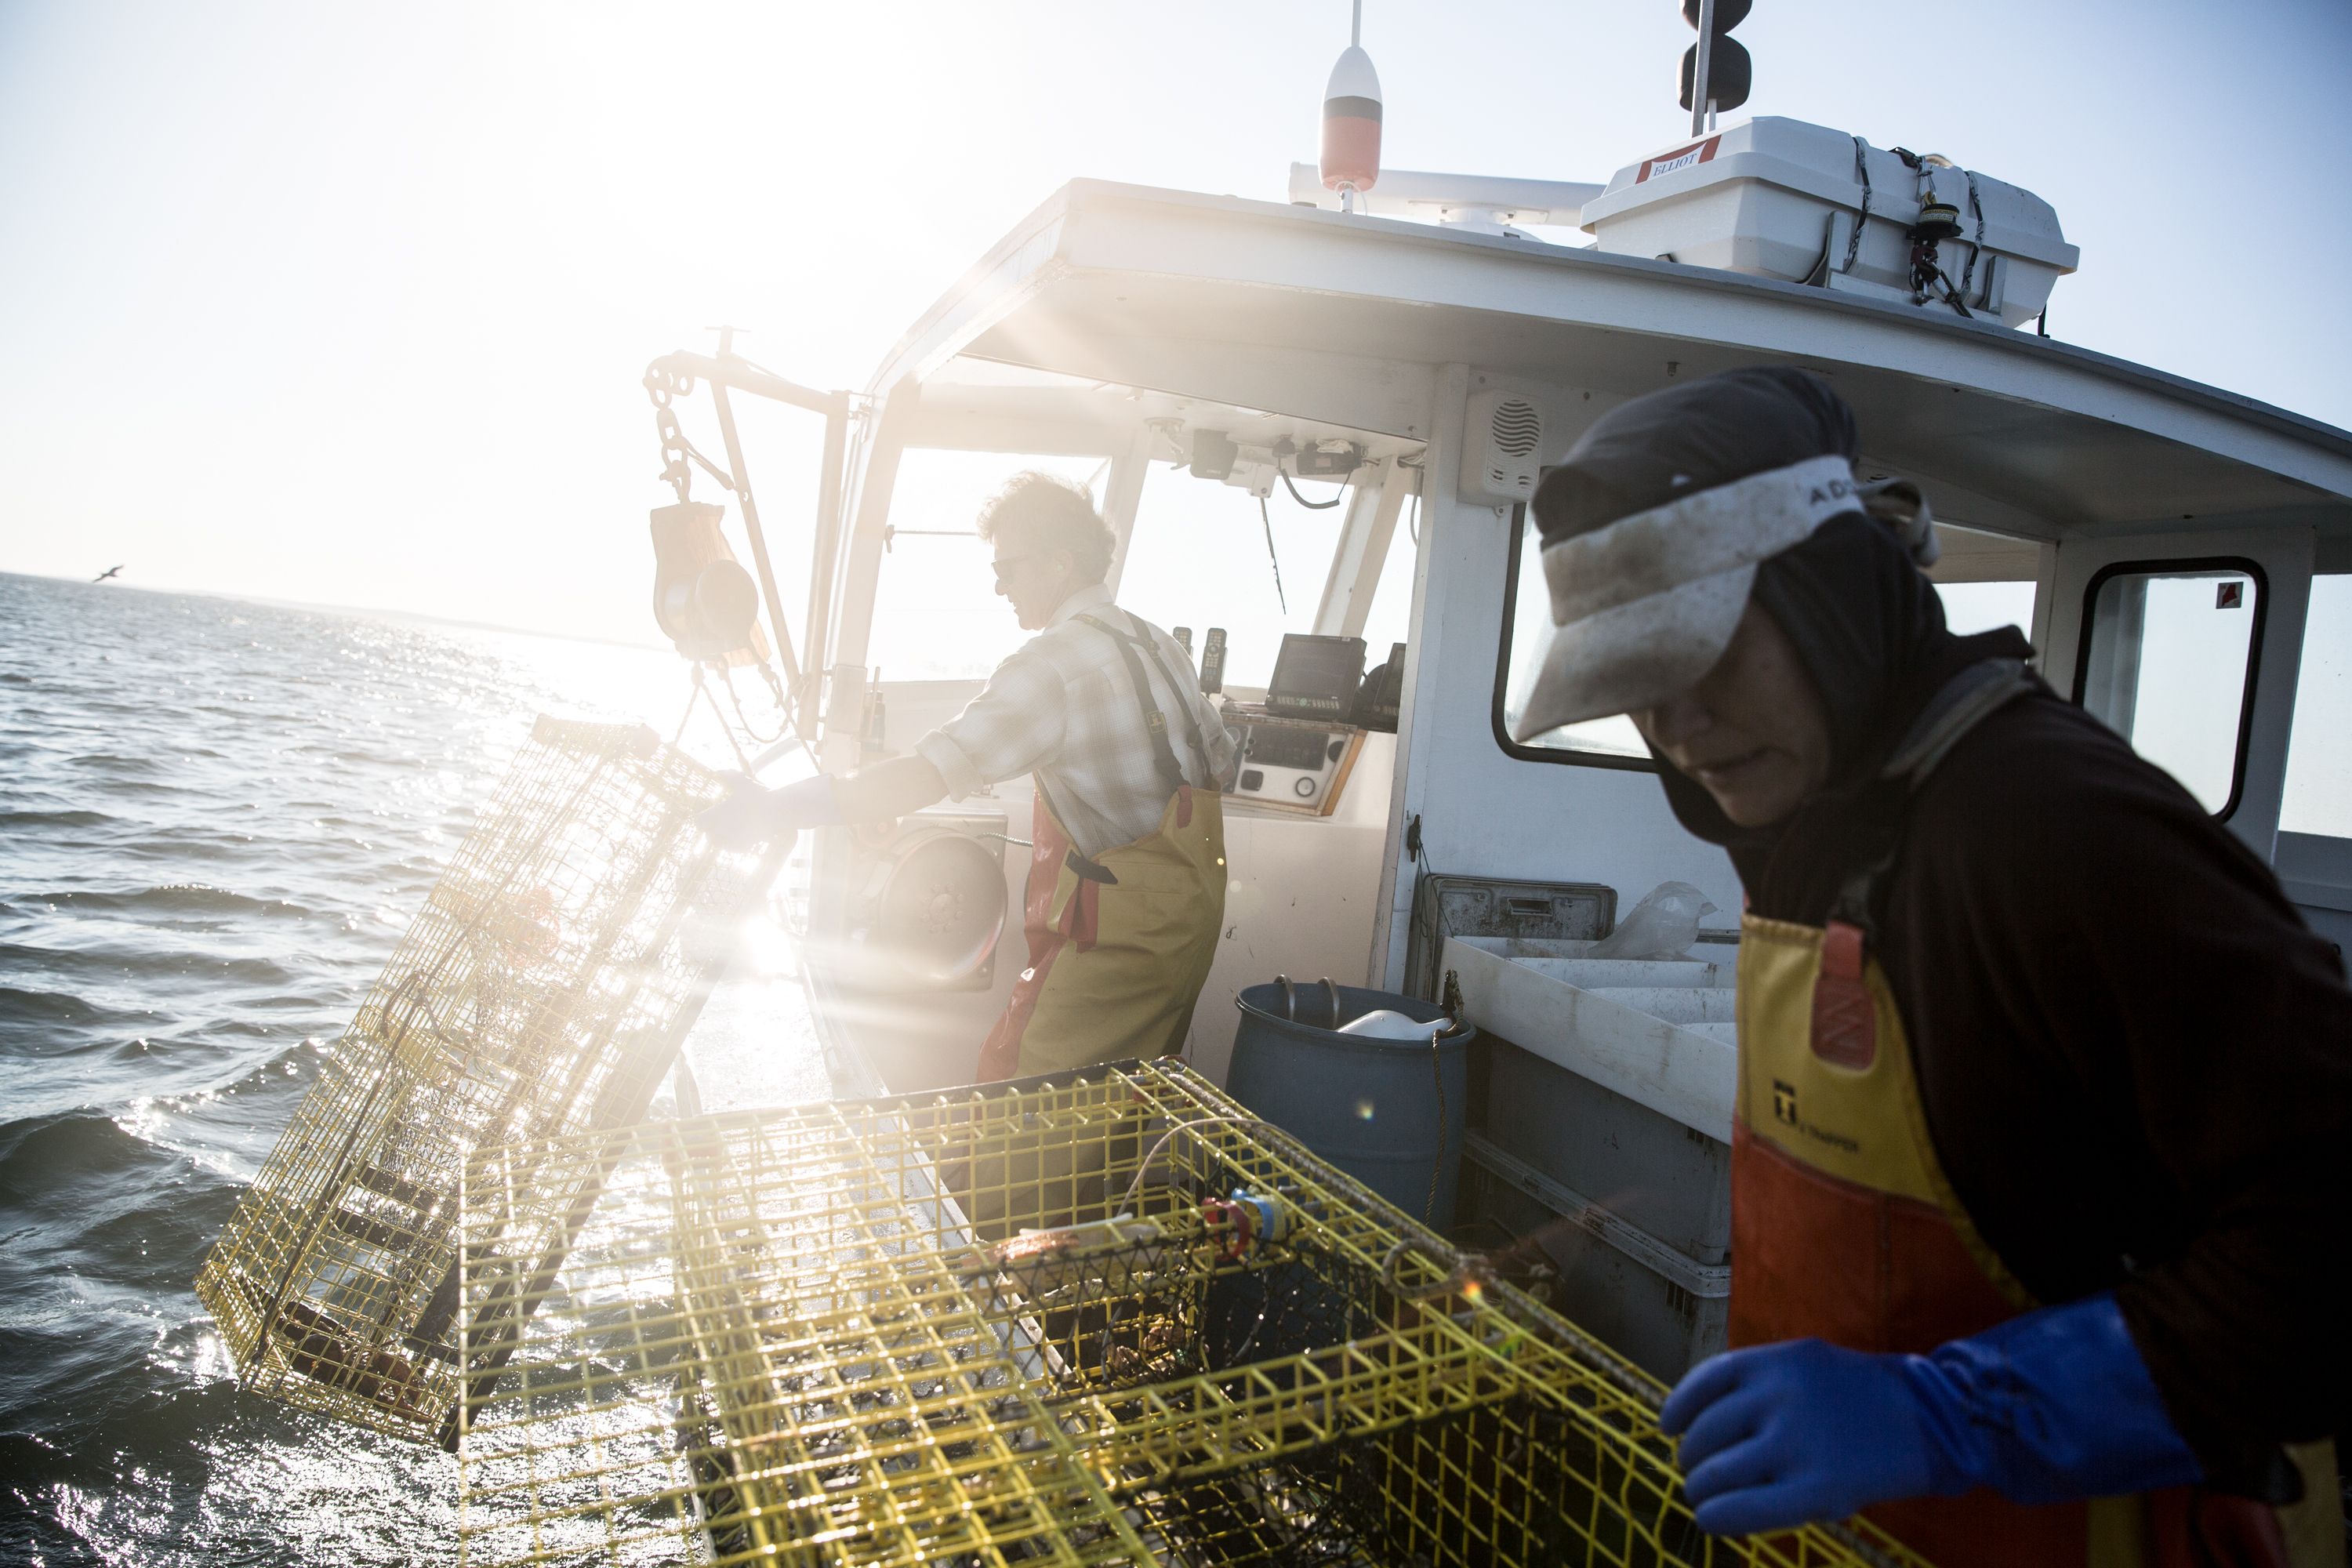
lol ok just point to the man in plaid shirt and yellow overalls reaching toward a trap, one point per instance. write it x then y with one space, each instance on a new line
1102 709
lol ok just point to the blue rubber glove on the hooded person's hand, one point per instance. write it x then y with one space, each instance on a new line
2047 1407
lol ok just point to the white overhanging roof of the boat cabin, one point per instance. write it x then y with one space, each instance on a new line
1347 321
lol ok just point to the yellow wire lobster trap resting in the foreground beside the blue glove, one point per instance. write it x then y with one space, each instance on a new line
1109 1320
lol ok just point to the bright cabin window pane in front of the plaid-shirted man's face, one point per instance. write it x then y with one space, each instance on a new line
937 612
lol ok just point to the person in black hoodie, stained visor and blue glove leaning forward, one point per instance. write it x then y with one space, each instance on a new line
2045 1115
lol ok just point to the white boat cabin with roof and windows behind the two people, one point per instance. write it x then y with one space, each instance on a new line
1325 424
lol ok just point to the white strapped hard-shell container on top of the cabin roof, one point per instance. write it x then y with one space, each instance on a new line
1782 199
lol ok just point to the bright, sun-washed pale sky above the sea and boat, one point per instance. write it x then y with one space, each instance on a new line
349 304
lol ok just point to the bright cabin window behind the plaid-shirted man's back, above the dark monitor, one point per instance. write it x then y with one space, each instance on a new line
1198 558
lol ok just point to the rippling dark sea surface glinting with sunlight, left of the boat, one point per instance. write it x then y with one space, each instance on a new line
215 824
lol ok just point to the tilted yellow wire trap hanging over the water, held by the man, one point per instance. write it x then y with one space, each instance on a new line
542 991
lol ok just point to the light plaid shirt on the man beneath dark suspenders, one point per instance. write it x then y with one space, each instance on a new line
1067 711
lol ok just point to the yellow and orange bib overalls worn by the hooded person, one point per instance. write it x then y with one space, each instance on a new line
1845 1228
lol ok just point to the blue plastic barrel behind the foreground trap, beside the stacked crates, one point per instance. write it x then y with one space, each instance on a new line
1377 1108
